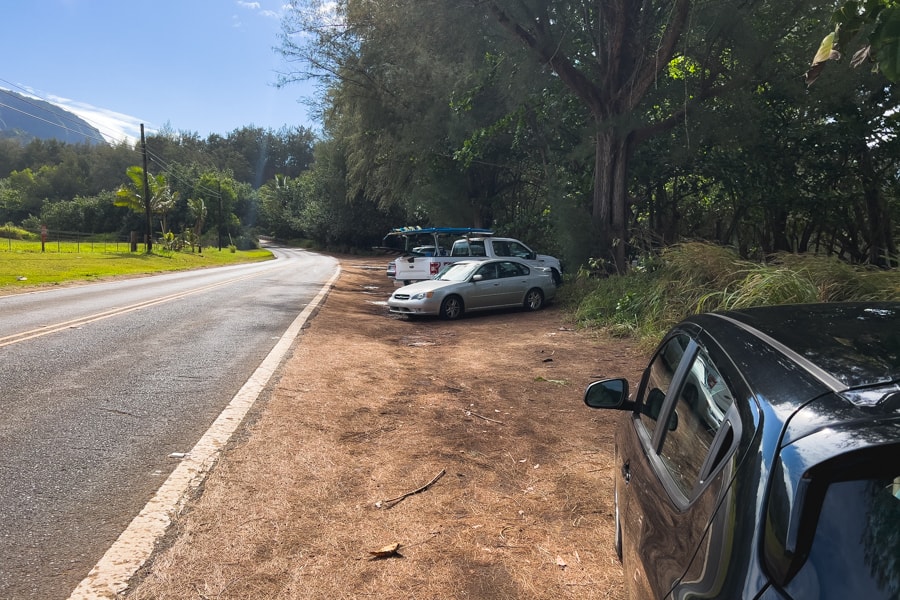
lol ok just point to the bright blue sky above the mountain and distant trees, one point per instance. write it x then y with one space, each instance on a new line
201 66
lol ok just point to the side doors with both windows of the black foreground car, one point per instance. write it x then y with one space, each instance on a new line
671 465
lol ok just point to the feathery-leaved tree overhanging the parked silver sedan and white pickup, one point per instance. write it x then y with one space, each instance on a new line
429 116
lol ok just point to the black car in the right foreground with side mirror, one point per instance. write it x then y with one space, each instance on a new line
760 456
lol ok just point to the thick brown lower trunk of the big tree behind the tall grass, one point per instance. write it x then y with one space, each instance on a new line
610 204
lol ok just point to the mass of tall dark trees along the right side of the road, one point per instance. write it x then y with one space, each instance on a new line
603 129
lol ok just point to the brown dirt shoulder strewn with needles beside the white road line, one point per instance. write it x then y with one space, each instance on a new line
370 407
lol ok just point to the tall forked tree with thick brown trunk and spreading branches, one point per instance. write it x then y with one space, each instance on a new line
614 56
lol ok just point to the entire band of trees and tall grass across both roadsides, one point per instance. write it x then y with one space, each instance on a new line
670 154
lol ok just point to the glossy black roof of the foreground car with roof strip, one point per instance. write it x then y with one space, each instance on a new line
802 351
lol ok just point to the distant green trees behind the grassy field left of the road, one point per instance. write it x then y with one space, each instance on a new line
53 183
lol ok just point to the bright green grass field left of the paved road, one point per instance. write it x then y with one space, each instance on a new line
24 265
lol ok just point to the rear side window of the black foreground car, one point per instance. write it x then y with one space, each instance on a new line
700 409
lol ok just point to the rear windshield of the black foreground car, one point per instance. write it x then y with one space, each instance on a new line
856 548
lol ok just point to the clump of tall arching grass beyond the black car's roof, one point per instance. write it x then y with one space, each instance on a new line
698 277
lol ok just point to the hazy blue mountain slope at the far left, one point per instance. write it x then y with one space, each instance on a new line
25 119
